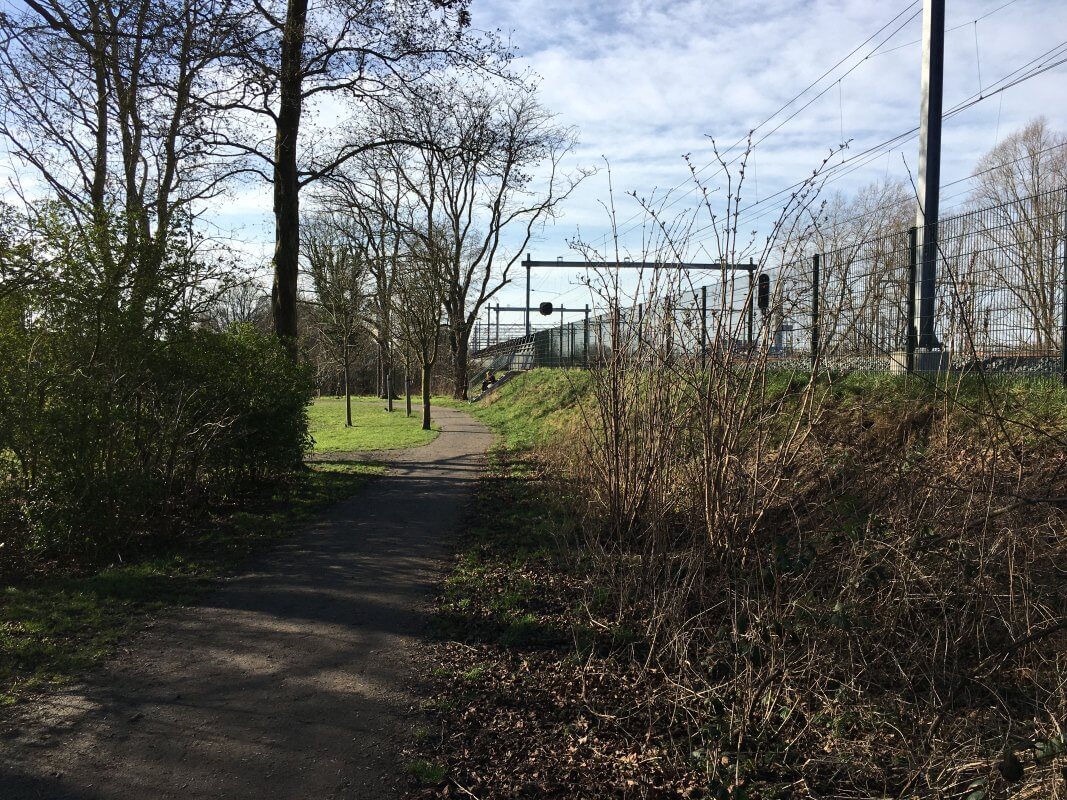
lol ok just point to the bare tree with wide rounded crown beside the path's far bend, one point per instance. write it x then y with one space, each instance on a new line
492 168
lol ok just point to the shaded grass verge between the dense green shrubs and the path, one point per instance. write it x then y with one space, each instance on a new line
56 628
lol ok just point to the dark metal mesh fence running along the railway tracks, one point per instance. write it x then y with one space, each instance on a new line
999 307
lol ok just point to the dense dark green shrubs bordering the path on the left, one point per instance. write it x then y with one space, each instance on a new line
107 436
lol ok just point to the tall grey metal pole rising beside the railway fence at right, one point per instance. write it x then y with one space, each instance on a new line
930 166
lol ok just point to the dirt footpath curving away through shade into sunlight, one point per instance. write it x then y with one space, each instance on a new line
290 682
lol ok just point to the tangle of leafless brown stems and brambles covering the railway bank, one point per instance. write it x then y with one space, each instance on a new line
851 598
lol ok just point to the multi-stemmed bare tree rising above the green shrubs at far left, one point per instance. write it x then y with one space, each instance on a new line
106 102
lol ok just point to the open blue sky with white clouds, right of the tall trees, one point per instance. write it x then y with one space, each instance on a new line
648 82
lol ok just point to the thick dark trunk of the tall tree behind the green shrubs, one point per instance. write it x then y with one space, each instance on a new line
288 179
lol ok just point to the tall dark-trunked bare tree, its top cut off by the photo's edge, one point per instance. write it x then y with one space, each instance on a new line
364 52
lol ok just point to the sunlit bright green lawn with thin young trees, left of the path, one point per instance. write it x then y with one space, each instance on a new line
373 427
